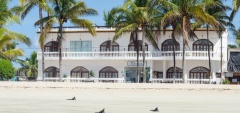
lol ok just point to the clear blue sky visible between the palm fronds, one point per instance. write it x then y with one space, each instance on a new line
27 26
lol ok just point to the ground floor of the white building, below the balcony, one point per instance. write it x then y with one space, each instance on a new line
127 71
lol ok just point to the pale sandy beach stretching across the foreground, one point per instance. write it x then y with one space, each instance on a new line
47 97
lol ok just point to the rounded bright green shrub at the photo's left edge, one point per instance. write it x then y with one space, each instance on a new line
6 70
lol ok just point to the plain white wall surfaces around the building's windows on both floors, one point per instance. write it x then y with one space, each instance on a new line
123 41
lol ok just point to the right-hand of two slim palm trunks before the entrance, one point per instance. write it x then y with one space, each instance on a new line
143 53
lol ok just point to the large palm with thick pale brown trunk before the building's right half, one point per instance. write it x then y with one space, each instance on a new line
184 12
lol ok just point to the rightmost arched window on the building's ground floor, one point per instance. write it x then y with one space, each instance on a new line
199 73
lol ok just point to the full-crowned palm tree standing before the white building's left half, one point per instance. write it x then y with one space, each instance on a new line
63 11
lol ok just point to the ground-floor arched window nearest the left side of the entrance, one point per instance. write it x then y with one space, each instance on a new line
108 72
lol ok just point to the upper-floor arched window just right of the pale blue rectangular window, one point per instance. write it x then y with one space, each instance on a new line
108 46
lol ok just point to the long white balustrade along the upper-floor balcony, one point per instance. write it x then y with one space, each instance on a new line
155 55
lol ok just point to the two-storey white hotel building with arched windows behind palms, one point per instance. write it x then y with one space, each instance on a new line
116 62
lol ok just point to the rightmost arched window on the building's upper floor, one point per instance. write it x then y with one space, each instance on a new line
202 45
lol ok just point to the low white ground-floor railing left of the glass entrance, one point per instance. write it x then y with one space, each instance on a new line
111 80
